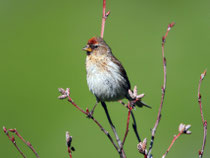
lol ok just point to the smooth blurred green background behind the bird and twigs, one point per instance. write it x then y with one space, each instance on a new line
41 50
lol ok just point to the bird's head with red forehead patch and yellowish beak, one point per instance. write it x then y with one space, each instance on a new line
97 46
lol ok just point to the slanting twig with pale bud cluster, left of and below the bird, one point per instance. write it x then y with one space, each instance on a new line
66 94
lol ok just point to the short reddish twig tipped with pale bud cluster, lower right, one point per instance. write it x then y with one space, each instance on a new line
183 129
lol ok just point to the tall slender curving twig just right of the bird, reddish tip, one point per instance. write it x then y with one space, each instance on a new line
163 91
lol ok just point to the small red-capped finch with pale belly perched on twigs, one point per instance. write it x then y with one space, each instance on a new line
106 77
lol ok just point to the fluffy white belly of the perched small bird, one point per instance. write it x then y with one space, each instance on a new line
106 84
